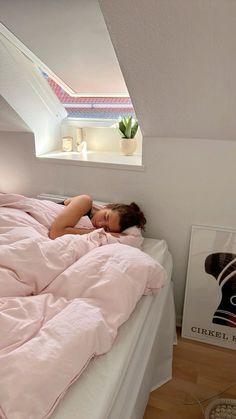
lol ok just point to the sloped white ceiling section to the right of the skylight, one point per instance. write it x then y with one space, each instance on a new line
179 62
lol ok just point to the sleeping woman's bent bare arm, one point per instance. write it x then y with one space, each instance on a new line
74 209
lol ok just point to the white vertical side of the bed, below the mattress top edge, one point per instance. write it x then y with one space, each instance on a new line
151 363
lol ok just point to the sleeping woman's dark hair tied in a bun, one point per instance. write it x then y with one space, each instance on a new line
130 215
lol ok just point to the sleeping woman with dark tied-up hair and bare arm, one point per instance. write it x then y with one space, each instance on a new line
114 218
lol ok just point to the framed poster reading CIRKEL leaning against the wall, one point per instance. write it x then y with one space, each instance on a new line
210 295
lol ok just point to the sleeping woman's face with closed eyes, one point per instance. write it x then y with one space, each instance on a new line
107 219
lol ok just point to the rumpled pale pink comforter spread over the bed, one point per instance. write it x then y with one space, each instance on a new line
61 302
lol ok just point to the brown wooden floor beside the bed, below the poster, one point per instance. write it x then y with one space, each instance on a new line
199 371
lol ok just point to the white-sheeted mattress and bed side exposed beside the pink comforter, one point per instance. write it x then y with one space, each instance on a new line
116 385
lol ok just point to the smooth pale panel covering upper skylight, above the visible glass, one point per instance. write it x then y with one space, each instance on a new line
70 37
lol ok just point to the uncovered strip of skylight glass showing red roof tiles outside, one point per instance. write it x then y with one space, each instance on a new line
109 108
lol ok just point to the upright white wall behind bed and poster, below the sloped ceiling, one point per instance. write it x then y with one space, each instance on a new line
185 182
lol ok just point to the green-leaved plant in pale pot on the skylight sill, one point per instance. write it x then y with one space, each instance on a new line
128 127
